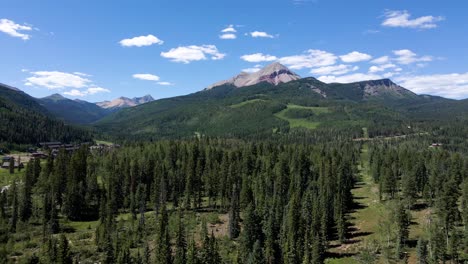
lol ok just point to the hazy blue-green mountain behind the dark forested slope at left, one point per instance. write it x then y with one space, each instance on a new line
73 111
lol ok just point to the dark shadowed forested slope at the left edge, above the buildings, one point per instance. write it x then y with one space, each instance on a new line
24 121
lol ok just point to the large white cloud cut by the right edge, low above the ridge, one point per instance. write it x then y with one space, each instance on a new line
454 85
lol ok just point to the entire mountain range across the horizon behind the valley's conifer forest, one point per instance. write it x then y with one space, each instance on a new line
272 100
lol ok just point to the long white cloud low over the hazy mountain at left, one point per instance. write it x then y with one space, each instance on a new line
57 80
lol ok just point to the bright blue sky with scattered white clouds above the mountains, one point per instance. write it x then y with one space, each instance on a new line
99 50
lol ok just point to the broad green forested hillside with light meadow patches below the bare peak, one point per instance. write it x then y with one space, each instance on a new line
380 105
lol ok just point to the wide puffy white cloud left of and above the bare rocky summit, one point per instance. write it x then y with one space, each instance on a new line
186 54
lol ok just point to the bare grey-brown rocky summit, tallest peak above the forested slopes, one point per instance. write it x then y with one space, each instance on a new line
274 73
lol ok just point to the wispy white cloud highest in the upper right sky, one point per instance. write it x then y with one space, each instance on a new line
402 19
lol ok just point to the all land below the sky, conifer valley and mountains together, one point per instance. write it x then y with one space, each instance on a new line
262 168
